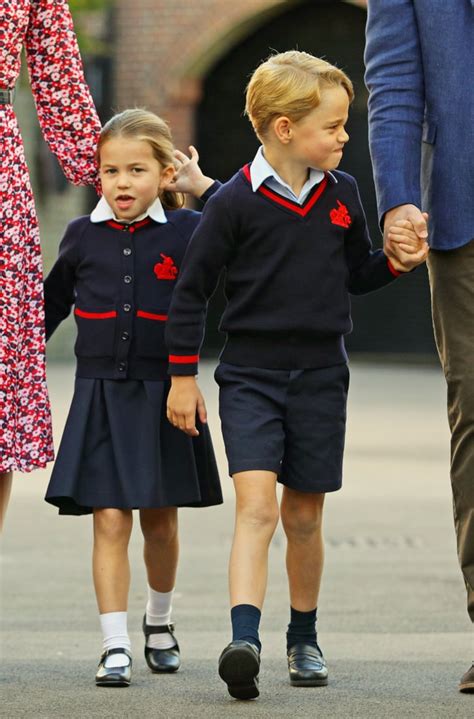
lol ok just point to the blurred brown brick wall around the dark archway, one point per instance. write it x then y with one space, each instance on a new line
164 47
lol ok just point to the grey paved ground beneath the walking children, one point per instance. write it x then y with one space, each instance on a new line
392 623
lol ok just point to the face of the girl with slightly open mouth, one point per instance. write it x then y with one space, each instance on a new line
131 176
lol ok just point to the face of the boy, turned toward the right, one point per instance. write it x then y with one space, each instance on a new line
318 139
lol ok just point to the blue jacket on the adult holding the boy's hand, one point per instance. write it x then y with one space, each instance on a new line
420 75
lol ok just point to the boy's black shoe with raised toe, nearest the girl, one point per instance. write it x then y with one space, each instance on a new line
239 665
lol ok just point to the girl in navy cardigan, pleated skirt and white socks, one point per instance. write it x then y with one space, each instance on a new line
118 452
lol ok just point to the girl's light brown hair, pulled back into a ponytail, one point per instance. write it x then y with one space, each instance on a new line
139 124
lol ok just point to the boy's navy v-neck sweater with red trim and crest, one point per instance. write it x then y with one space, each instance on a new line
289 271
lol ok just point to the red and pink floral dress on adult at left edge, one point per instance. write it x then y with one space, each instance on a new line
70 126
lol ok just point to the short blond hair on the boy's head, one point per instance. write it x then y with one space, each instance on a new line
289 84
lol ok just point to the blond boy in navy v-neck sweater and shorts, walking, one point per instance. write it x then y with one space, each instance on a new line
292 236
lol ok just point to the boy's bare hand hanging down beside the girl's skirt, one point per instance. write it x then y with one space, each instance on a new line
184 400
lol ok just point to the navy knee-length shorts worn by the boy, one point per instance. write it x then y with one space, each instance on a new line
291 422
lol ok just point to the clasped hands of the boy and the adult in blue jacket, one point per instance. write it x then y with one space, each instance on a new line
405 238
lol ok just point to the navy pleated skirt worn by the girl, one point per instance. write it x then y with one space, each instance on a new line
118 450
